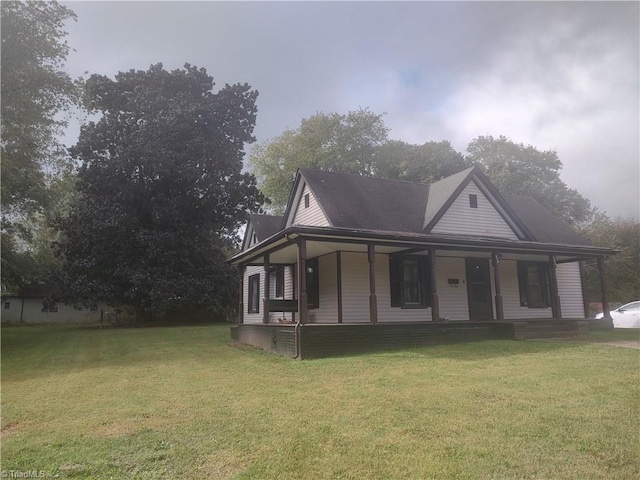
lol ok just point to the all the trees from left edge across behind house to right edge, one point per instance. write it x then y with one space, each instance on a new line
144 209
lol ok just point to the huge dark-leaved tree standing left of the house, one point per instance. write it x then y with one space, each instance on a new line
160 191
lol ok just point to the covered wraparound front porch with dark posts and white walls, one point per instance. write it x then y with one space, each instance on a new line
422 289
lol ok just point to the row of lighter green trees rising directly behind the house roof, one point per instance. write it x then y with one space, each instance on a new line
357 142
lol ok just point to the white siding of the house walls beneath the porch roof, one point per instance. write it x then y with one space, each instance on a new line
452 299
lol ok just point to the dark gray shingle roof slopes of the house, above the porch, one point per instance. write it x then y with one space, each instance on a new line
375 204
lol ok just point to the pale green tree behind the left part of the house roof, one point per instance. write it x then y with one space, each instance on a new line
333 142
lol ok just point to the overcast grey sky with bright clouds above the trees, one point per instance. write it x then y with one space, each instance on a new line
561 76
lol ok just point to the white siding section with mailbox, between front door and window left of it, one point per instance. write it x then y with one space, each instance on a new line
452 300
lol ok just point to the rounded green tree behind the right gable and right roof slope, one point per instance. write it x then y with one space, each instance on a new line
521 169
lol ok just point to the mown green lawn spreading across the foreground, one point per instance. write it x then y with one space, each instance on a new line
182 403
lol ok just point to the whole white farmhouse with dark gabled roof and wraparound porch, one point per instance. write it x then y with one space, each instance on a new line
360 263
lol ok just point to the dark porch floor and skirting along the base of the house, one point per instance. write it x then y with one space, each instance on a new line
318 340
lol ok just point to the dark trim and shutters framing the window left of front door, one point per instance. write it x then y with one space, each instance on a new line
397 281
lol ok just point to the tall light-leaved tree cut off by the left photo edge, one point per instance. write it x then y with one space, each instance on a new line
35 91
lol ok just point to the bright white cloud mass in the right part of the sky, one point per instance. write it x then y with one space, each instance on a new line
562 82
